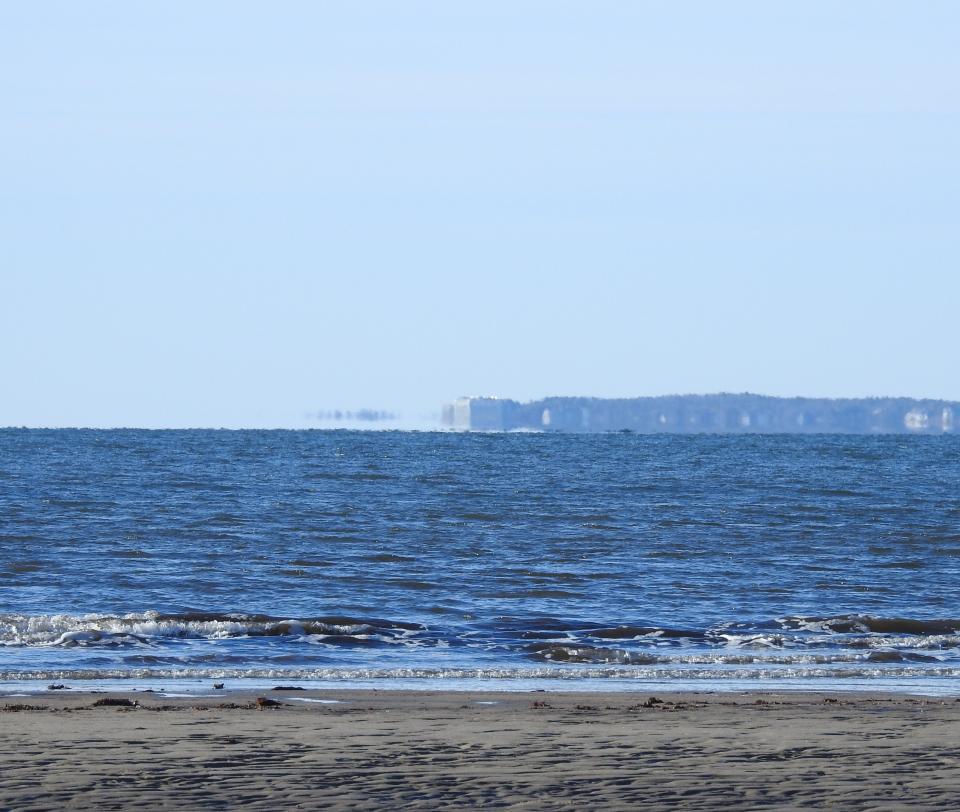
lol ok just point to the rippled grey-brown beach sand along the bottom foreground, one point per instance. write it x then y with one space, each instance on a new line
390 750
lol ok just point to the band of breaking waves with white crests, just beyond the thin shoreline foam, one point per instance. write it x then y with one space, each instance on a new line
551 640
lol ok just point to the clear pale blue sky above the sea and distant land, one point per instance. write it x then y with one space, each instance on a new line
235 214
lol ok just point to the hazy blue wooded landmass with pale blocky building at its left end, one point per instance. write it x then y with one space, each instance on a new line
698 414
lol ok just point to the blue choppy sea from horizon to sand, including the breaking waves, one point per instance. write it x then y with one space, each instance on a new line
440 559
